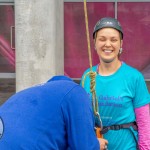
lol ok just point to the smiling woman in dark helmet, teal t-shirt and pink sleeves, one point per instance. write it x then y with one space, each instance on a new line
116 79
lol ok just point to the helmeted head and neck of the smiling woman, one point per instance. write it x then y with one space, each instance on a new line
108 43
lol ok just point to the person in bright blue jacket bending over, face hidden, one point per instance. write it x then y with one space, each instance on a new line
55 115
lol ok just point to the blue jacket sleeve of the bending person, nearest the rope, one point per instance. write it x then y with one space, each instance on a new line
78 117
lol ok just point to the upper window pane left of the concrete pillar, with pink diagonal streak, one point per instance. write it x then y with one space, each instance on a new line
7 54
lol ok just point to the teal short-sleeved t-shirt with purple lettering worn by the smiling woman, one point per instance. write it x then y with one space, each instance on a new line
118 95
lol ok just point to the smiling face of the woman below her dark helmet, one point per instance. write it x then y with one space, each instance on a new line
107 45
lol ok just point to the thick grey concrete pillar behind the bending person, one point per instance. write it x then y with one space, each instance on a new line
39 31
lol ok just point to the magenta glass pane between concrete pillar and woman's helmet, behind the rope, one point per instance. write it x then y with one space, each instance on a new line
76 51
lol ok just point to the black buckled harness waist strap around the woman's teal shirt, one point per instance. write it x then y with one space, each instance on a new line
118 127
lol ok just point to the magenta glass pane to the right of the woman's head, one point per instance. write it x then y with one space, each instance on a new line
135 19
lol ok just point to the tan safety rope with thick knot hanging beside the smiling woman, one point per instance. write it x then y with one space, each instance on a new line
91 73
